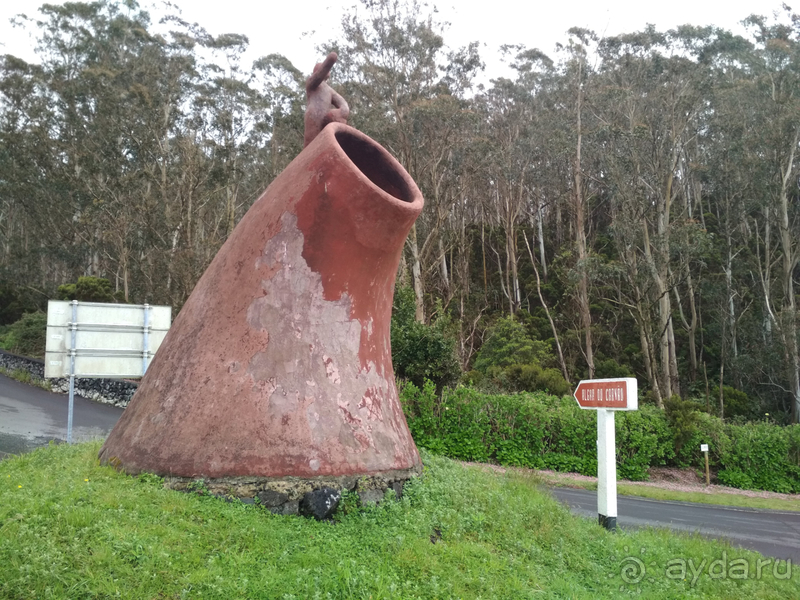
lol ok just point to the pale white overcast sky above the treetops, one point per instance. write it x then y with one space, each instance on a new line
295 27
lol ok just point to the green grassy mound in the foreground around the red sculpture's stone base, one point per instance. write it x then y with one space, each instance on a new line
70 528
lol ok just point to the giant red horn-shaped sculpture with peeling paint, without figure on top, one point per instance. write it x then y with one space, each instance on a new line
279 363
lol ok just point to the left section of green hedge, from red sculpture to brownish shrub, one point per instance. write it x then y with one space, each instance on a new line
530 430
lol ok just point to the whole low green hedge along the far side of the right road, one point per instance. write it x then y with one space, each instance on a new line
539 431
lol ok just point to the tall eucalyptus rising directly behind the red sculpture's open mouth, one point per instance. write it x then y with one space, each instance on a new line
401 81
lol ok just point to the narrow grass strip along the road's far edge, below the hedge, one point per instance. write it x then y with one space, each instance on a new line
721 499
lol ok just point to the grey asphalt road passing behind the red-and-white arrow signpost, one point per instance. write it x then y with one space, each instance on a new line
771 532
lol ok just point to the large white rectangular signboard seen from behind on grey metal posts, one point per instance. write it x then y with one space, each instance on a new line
91 339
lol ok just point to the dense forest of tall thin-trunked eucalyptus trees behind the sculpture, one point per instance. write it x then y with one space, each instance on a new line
627 206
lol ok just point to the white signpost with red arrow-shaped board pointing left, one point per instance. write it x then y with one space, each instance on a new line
607 396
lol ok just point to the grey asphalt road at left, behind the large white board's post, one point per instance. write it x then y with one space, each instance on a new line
31 417
